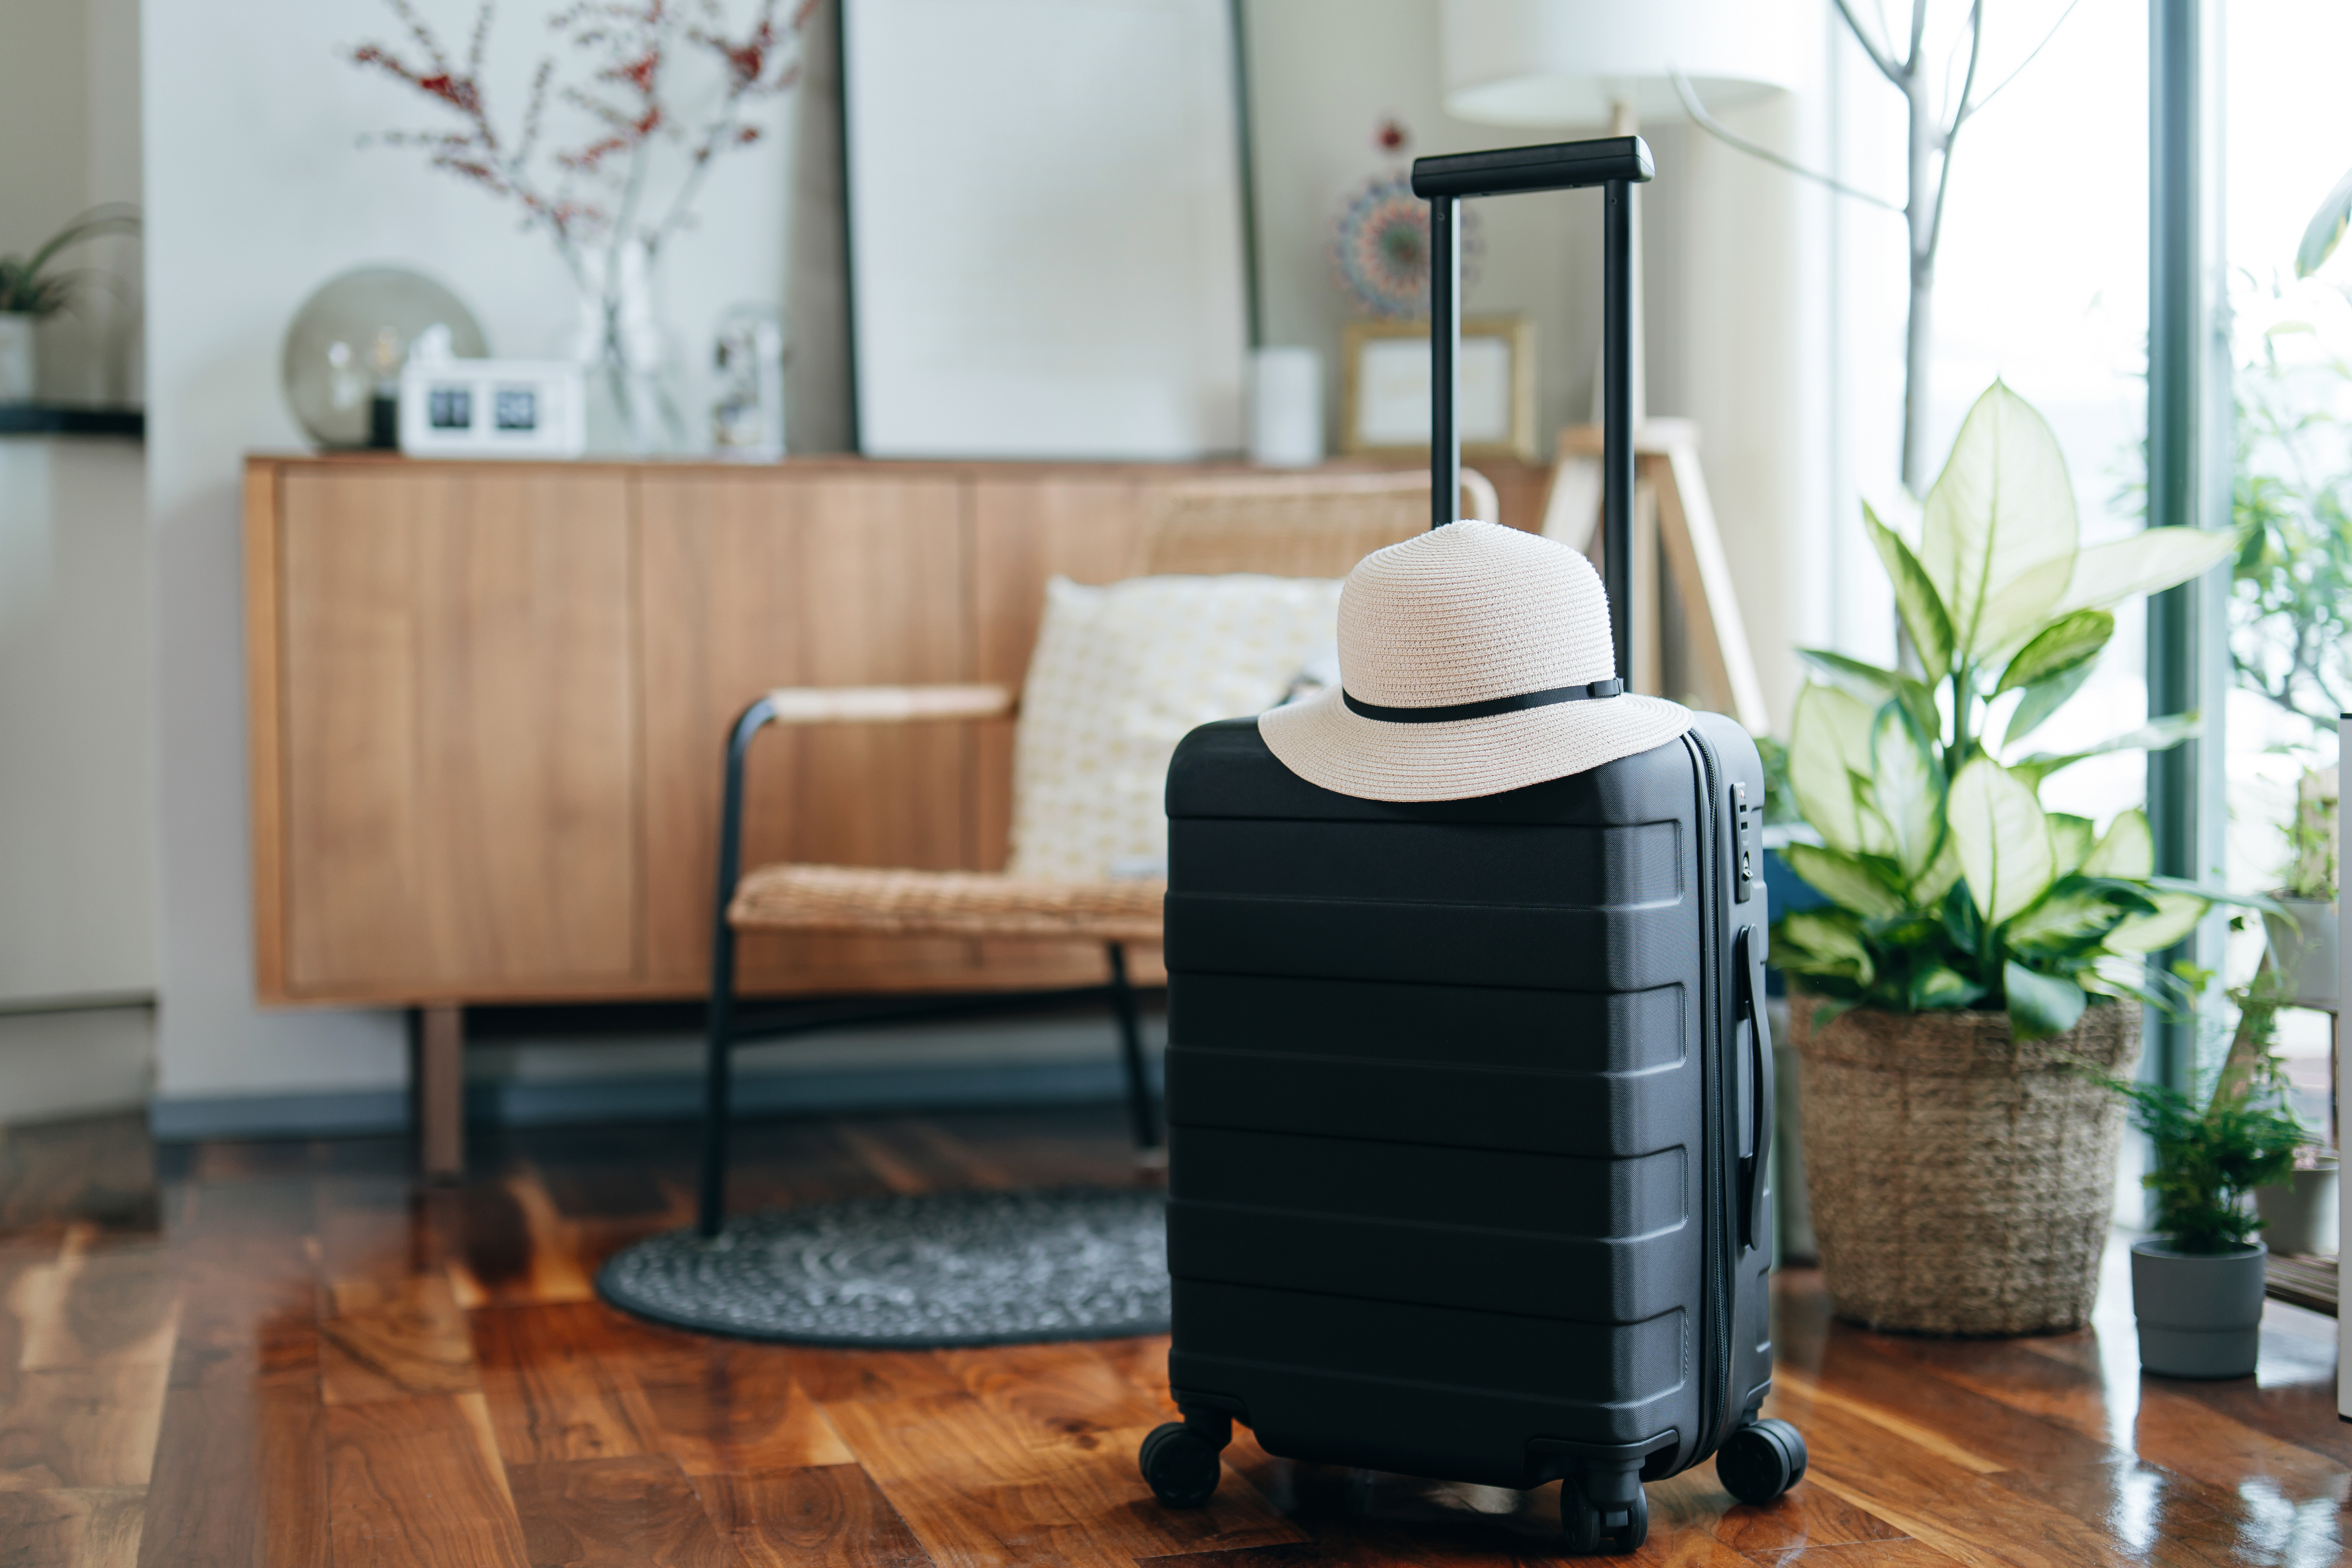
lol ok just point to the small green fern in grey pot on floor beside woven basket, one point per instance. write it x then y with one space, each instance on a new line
2198 1282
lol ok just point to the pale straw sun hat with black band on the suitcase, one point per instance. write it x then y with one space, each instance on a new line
1474 659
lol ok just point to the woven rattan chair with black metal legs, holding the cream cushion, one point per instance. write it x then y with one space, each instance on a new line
1309 525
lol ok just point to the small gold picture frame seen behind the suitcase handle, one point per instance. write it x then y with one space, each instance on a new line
1387 389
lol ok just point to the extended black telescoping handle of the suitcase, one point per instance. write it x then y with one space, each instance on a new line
1615 163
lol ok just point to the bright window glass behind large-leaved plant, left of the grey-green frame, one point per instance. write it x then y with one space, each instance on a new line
2040 281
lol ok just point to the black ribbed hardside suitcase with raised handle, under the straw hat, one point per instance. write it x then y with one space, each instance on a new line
1471 1101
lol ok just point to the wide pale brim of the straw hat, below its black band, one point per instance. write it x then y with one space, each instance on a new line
1332 746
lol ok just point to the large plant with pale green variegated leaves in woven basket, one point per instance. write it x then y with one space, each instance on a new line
1977 949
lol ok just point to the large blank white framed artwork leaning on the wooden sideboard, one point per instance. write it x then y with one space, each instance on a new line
1045 229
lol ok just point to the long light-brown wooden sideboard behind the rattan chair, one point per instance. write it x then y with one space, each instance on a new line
488 706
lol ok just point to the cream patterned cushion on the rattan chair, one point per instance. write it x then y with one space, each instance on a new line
1118 678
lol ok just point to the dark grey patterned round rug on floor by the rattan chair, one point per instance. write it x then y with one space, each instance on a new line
911 1273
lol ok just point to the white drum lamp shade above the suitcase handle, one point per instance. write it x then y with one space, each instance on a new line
1568 62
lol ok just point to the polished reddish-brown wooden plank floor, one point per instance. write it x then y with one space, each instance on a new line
281 1353
